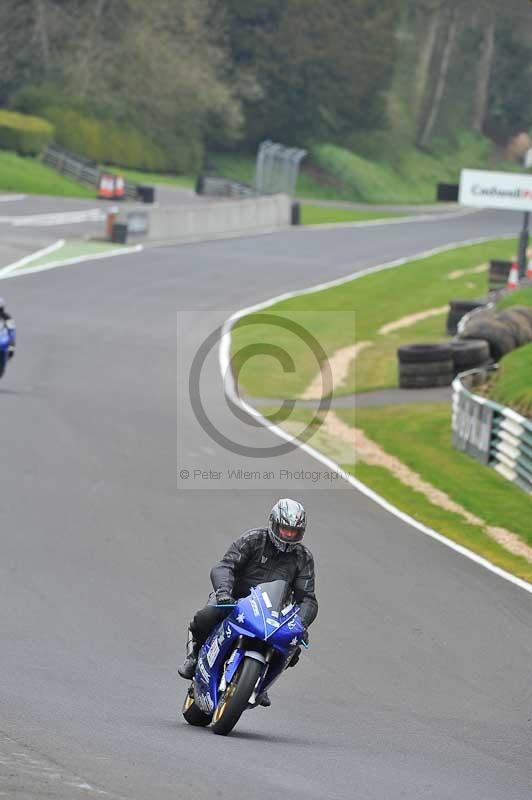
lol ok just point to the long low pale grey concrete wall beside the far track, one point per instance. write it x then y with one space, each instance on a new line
212 220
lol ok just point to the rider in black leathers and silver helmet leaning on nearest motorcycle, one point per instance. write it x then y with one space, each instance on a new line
258 556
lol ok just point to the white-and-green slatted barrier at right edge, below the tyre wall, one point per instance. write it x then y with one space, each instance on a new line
491 433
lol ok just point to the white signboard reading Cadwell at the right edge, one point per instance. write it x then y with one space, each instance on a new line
509 190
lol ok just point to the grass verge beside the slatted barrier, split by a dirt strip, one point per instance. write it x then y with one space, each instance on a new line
480 490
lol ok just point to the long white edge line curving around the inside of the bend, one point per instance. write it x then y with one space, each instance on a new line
224 360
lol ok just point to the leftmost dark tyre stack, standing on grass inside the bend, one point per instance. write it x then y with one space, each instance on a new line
425 365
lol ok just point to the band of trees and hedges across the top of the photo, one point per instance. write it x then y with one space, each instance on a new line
155 83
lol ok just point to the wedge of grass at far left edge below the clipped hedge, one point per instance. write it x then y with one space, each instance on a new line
29 175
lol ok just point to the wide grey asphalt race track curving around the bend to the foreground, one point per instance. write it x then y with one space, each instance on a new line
417 683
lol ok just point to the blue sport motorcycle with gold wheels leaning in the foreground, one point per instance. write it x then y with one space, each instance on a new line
243 657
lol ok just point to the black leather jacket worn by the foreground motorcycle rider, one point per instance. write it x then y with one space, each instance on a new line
254 559
